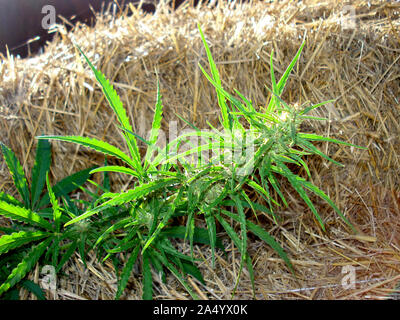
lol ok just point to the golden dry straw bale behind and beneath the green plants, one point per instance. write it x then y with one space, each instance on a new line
352 54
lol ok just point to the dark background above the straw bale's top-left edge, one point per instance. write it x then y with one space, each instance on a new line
24 23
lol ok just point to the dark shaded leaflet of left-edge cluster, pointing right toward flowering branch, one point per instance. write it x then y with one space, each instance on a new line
67 185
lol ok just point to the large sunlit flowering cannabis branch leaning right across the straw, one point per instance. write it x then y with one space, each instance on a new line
253 151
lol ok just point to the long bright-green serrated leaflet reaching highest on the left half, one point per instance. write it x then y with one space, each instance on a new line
117 106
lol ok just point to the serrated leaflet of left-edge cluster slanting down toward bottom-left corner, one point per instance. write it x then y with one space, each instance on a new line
25 265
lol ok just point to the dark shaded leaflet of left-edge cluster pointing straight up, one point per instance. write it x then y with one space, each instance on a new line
39 170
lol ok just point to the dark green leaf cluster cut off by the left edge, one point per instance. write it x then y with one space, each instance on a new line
37 219
